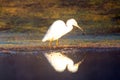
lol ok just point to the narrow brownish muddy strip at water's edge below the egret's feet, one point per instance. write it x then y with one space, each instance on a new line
63 49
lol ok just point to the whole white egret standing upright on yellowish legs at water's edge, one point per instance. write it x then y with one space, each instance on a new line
58 29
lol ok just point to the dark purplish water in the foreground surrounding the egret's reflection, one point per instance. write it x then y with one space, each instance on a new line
99 64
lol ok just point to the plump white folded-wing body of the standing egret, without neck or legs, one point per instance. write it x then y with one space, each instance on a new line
55 31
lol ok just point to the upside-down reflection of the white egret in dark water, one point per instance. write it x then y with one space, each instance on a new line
60 62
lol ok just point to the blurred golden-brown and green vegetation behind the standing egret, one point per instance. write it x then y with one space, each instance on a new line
95 16
